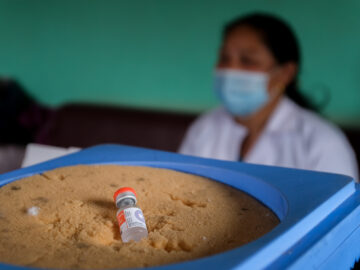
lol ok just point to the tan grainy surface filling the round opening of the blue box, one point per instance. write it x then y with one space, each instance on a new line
187 216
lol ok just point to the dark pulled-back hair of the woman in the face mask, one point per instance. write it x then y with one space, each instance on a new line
280 40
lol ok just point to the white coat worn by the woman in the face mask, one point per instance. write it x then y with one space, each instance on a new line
293 137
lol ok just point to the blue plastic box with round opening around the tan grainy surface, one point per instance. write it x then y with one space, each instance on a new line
319 212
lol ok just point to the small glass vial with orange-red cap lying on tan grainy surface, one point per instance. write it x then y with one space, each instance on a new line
129 216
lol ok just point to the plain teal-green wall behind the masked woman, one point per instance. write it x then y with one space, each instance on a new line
160 53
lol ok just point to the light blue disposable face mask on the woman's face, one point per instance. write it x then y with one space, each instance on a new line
241 92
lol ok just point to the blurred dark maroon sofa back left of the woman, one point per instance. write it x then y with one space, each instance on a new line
86 125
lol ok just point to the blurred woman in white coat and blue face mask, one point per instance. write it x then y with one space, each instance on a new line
264 119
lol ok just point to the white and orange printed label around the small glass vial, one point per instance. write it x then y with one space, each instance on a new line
129 218
